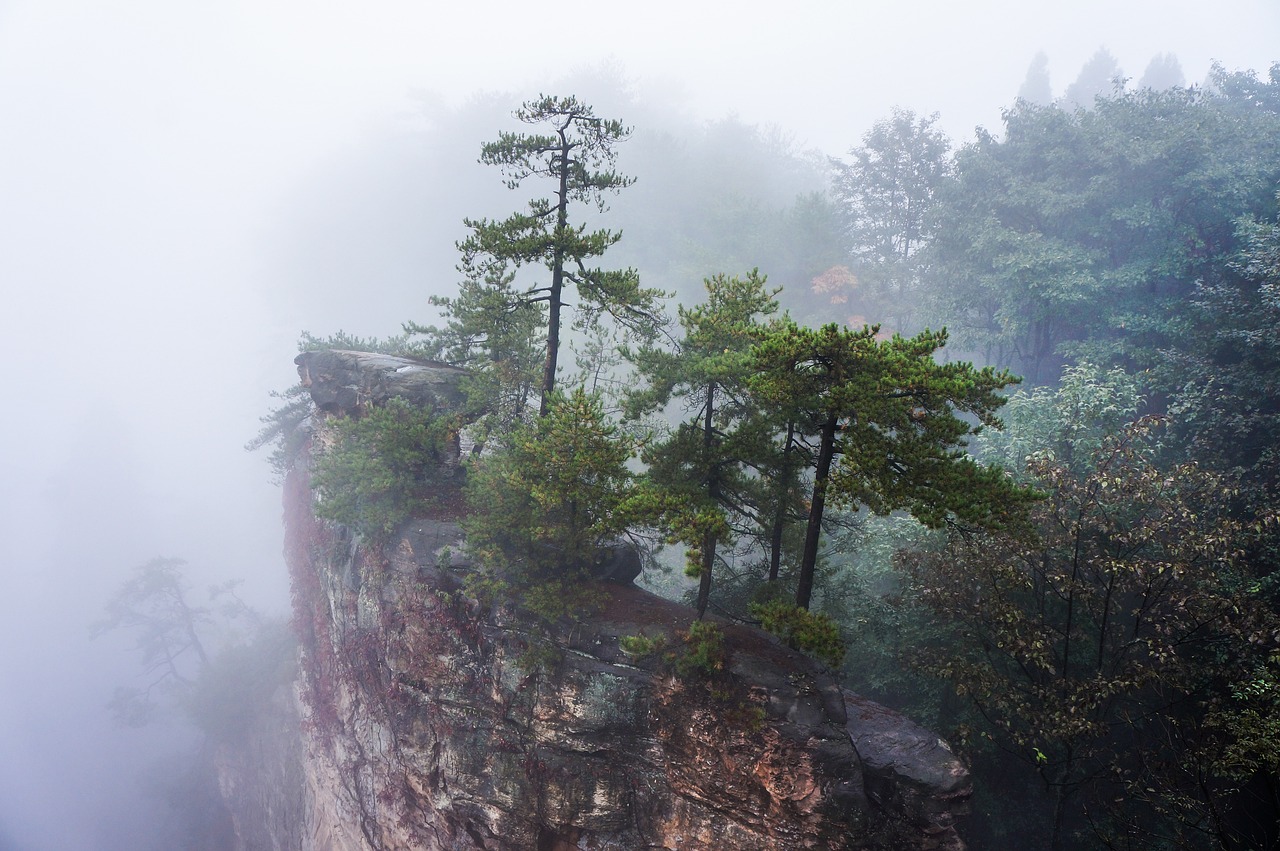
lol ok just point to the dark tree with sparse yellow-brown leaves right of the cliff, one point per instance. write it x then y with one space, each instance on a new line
1094 642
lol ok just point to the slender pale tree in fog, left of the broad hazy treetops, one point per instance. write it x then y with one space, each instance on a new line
886 195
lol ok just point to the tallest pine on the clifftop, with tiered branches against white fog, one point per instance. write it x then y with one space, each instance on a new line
496 318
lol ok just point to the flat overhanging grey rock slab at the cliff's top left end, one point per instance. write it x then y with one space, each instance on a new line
342 382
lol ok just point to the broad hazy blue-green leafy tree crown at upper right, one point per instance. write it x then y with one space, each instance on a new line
1082 234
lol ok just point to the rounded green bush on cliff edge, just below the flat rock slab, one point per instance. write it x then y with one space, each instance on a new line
385 466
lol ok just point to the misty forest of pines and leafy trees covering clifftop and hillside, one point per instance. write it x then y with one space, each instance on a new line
991 427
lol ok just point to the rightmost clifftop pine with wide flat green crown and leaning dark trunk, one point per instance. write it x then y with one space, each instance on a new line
890 423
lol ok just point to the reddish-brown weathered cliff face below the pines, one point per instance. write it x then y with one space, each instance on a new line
431 721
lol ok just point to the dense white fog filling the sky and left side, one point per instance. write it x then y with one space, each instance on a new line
185 190
